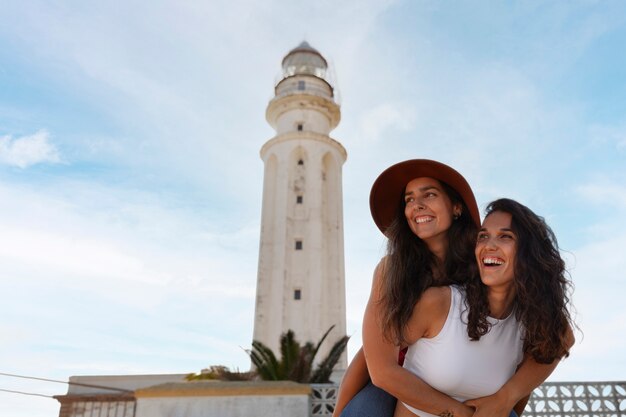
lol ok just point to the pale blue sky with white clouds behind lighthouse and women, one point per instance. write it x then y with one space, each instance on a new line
130 177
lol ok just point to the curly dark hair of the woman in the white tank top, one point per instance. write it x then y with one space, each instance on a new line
542 287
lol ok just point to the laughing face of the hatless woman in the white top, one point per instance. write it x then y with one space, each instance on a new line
496 249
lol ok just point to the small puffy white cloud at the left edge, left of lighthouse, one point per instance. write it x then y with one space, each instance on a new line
25 151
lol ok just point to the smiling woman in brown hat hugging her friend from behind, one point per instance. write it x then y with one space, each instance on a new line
429 214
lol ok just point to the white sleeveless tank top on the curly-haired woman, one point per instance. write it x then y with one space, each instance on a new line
453 364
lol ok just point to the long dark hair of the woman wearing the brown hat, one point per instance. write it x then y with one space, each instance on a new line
411 267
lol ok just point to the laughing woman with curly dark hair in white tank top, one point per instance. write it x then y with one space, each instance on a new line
467 340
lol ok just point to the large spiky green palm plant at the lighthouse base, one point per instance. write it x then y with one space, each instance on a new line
296 361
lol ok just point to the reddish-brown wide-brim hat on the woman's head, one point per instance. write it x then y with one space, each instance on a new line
389 187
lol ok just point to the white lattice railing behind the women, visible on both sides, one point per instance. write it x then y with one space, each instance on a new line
552 399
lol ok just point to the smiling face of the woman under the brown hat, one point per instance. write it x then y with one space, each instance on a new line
429 211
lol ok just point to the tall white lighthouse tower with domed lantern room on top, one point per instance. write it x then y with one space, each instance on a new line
300 283
